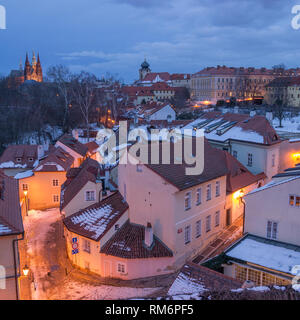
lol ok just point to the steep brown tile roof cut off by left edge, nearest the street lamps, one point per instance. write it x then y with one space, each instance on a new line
10 211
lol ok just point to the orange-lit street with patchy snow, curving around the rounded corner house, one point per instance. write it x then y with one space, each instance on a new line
52 276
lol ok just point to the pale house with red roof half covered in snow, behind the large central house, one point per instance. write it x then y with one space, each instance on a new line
250 139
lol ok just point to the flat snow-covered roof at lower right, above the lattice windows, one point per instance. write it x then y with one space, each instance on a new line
267 253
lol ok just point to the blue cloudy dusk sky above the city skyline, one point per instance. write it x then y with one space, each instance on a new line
174 35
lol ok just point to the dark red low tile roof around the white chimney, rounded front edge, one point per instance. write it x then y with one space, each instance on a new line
128 243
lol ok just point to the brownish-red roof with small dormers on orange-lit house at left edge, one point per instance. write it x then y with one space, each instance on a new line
24 152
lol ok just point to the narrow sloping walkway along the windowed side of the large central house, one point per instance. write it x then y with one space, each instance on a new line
227 237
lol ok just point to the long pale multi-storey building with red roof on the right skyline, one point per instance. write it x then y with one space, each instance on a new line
222 83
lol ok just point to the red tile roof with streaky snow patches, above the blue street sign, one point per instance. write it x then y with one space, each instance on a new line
95 221
